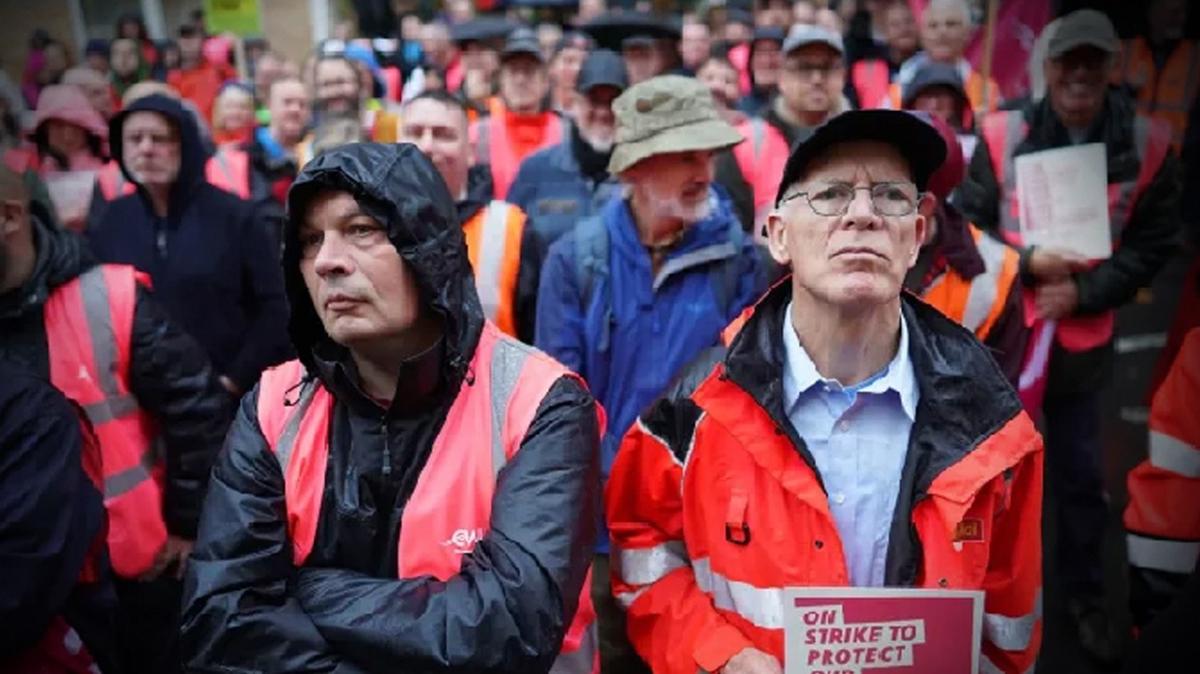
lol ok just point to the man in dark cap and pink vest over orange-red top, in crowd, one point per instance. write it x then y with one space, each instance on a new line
519 124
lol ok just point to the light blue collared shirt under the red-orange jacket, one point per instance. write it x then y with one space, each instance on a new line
859 437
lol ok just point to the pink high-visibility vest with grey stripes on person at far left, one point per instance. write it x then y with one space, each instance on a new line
89 324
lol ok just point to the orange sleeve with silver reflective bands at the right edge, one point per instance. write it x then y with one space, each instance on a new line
1163 517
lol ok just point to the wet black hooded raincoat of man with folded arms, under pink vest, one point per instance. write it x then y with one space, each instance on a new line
250 609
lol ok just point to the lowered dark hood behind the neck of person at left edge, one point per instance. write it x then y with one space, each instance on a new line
62 256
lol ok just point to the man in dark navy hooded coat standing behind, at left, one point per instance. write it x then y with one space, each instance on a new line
211 255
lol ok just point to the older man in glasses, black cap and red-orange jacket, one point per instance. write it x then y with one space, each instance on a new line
841 441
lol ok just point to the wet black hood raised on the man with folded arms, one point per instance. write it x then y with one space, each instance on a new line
400 188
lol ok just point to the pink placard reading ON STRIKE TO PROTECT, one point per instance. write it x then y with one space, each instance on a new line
883 631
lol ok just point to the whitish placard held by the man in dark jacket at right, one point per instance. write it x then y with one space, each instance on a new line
1064 200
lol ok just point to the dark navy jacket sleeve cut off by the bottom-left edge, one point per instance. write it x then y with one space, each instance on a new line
50 511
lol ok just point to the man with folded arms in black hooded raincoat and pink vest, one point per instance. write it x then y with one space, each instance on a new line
355 522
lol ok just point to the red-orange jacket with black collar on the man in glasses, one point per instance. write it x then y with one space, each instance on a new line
716 509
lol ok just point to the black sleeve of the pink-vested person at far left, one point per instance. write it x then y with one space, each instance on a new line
172 380
